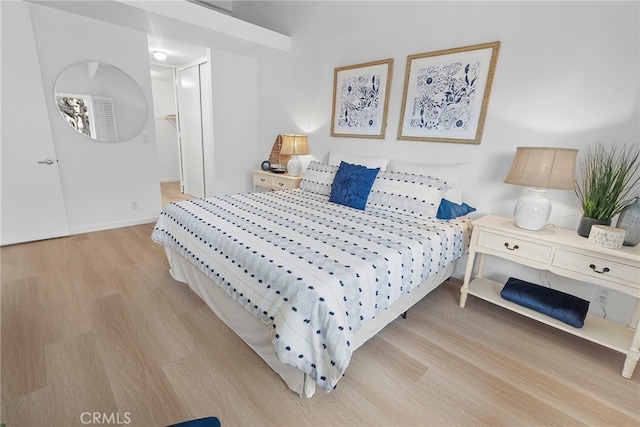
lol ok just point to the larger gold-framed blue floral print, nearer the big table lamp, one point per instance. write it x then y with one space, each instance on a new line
446 94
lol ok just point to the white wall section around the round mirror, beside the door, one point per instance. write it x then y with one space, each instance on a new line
100 181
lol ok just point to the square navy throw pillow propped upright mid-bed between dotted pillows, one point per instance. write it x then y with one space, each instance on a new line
352 184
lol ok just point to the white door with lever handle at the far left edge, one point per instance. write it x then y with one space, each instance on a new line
31 198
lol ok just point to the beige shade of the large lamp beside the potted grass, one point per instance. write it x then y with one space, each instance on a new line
544 167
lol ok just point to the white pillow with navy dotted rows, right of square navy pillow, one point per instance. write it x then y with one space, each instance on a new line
411 194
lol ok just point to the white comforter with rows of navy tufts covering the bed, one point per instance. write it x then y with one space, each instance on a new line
311 270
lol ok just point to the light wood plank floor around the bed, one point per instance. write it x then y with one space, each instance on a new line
94 323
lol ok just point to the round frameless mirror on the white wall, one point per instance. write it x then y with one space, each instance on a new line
101 102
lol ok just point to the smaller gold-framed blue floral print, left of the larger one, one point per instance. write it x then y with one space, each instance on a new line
361 99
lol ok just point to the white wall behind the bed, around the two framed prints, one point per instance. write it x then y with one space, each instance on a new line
567 76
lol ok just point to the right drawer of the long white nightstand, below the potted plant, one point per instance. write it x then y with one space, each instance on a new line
597 268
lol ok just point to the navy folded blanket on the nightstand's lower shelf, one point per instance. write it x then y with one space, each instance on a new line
559 305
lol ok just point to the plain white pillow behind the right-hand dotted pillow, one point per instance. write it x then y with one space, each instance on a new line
454 174
